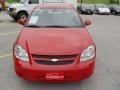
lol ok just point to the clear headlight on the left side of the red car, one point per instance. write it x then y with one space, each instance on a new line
21 53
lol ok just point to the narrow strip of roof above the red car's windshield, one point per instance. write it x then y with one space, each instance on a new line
54 6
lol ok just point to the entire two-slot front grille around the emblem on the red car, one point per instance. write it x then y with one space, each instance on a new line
47 59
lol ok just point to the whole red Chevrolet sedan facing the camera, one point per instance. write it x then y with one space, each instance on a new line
54 46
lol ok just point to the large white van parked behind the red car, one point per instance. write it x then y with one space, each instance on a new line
24 7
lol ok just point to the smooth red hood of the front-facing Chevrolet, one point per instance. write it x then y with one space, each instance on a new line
54 41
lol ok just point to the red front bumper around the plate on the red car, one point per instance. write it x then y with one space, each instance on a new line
71 73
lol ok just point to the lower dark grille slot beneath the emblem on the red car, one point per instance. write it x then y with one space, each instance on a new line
62 62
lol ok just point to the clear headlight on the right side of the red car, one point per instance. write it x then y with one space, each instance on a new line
88 53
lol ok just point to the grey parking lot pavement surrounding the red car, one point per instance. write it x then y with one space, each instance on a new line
105 31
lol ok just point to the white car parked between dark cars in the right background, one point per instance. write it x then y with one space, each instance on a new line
101 9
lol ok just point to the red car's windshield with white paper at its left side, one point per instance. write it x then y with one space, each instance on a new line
53 17
